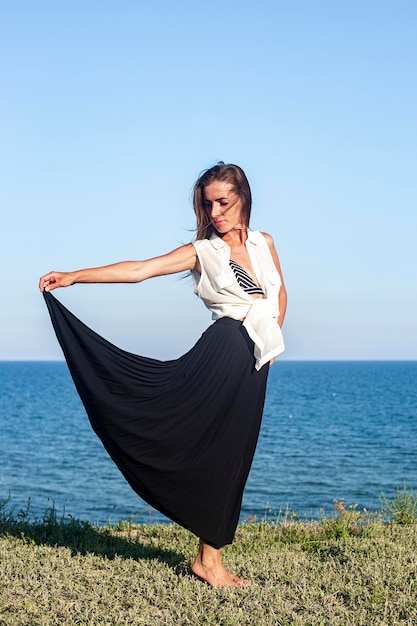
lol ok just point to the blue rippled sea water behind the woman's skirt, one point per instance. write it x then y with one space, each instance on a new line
331 430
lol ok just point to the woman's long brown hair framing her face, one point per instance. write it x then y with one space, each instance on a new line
227 173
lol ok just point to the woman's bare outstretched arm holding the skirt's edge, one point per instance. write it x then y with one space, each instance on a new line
179 260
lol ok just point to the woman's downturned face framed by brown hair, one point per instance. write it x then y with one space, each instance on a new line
223 206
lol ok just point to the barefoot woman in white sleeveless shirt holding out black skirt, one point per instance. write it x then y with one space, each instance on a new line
184 432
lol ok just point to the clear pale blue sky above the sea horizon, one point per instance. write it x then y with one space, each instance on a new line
109 111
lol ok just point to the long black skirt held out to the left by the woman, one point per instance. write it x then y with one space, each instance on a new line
182 432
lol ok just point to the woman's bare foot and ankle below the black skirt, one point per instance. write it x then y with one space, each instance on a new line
209 567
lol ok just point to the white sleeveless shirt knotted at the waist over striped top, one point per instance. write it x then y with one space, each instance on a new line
218 288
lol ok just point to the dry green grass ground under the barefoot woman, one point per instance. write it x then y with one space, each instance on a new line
351 569
